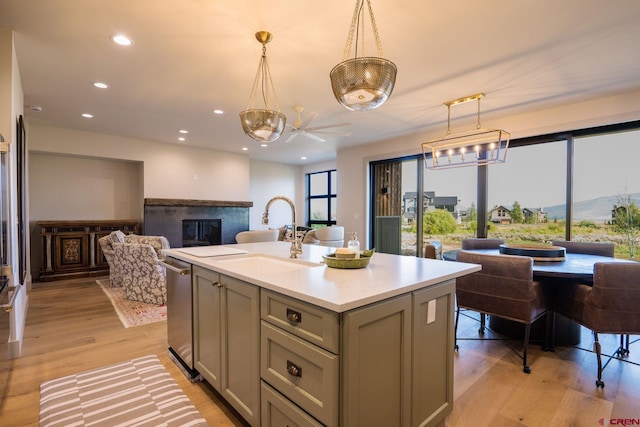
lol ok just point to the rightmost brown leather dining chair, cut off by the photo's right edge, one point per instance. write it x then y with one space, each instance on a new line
610 306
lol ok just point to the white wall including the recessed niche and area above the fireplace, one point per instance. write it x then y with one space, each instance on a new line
77 175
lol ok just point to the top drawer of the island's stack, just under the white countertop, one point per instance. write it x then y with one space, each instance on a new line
309 322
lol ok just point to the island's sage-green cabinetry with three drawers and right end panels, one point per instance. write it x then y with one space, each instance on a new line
389 363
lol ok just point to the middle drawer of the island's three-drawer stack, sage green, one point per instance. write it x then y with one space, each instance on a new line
304 373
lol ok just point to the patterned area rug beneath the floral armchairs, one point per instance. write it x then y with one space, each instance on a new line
132 313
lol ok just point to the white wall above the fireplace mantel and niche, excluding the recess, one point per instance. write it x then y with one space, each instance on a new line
170 171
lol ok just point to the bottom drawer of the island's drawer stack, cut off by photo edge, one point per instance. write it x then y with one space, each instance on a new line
278 411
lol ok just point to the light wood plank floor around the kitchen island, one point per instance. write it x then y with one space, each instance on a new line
72 327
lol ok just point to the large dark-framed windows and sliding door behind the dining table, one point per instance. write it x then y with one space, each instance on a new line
580 185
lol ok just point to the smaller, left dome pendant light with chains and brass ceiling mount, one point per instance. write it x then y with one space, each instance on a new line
263 124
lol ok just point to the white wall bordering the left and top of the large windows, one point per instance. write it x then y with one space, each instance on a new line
352 163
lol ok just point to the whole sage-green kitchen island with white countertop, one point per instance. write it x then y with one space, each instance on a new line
292 341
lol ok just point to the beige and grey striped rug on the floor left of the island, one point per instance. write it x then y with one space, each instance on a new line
138 392
